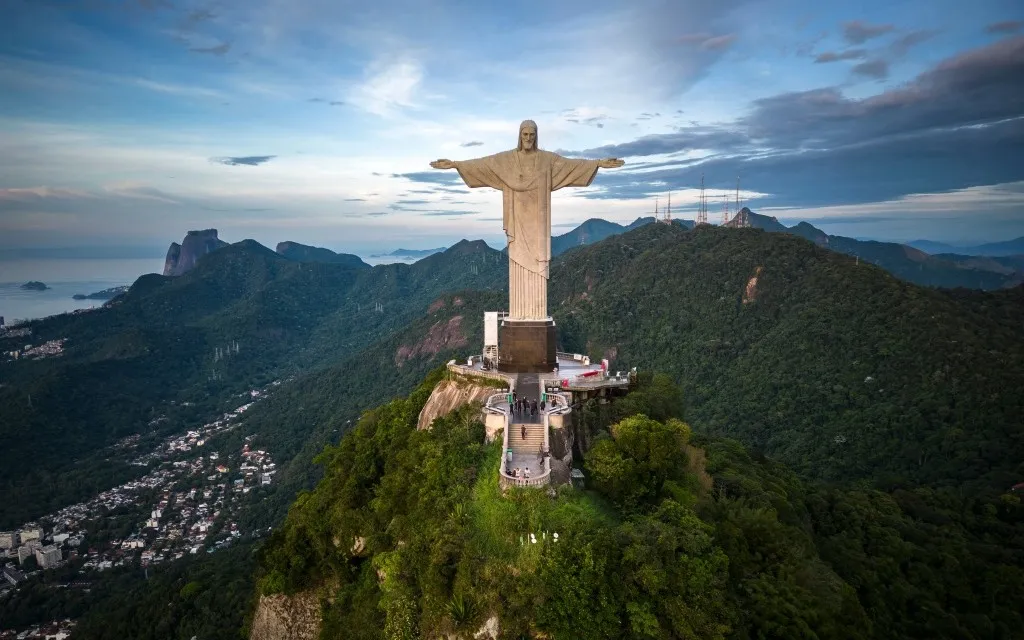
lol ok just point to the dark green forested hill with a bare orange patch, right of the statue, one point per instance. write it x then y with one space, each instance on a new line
838 369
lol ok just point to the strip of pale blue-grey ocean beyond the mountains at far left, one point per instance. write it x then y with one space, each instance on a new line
65 279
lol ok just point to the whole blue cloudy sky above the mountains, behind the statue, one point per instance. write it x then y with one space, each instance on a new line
125 123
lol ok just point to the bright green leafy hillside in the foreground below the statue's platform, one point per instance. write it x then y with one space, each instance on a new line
679 537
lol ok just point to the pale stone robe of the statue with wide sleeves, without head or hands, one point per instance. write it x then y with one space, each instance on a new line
527 180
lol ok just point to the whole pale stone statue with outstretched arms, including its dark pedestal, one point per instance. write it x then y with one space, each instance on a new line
527 177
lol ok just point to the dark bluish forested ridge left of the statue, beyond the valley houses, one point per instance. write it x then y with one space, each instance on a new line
147 364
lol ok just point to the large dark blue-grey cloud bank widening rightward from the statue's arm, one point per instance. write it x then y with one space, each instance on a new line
957 125
